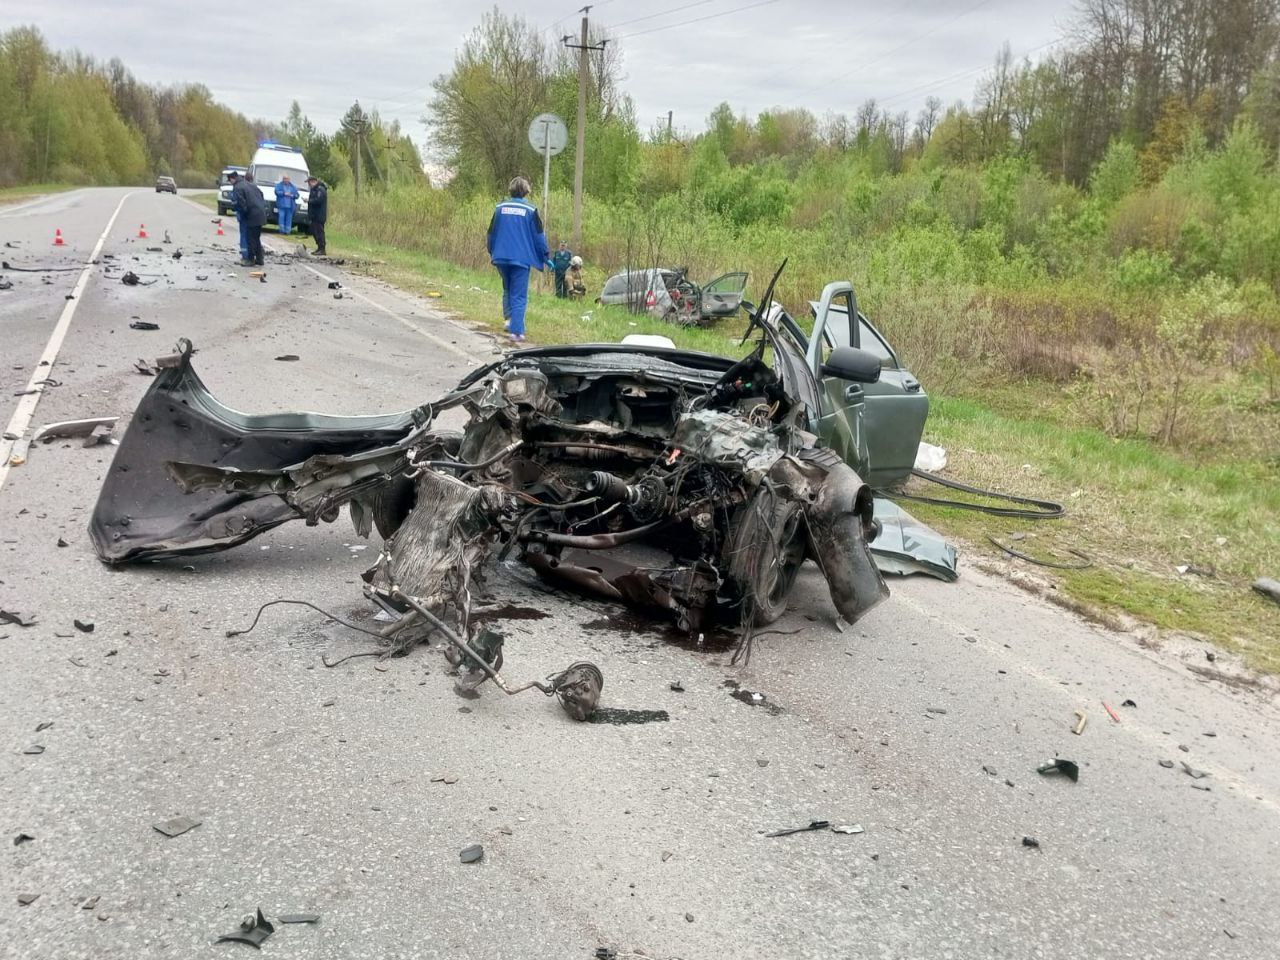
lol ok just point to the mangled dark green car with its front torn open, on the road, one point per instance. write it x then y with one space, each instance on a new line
668 479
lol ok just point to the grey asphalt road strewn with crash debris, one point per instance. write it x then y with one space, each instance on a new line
318 788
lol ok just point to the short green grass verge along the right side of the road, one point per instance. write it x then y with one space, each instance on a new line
1136 509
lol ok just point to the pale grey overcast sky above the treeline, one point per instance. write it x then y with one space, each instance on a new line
821 54
